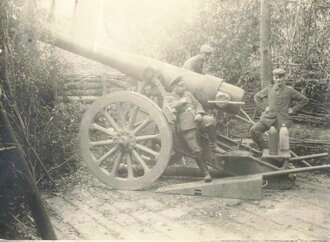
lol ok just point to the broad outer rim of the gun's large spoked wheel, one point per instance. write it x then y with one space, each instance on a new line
157 117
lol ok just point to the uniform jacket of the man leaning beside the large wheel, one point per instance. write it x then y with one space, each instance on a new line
185 113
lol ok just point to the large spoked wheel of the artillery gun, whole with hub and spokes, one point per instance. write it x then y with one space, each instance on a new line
125 140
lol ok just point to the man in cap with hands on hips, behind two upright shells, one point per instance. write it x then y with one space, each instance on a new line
280 97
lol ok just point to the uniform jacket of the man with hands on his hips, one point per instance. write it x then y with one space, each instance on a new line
279 101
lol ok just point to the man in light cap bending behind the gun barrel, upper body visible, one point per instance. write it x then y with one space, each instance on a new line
196 63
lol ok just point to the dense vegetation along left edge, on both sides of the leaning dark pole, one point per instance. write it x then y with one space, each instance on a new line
31 77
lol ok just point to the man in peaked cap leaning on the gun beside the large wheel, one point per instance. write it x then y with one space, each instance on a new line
189 112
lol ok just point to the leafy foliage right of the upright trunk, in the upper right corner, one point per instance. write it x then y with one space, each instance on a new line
301 44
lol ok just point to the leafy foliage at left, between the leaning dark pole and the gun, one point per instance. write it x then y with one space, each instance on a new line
47 129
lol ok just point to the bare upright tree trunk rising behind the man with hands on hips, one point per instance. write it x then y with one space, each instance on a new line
265 51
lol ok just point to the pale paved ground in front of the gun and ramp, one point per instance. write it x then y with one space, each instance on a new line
85 209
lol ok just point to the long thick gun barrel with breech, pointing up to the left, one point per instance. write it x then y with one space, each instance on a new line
204 87
